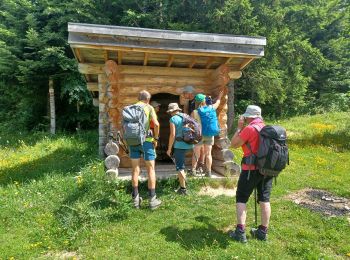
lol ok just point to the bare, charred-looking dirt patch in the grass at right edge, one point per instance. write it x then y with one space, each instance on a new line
322 202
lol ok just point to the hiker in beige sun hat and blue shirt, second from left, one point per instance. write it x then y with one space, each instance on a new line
180 147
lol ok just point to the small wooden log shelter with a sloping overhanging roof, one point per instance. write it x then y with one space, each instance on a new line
118 62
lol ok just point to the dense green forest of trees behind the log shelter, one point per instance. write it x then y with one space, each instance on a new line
305 70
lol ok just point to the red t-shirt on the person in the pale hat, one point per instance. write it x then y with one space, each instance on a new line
250 135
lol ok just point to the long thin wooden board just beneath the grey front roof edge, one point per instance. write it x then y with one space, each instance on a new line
162 51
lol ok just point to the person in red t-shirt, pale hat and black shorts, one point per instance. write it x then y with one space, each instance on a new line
248 138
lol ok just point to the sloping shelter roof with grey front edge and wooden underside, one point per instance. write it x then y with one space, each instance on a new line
95 44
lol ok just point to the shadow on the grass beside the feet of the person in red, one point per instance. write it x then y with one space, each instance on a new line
197 237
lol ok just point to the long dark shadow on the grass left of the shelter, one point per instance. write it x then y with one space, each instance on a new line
61 161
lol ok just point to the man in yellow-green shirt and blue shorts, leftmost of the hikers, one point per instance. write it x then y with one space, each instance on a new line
149 155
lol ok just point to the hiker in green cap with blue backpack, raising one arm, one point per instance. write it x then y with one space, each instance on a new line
205 115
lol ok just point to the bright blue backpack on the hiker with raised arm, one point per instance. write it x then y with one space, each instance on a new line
209 120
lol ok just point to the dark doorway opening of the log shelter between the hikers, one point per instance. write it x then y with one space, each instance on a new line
163 117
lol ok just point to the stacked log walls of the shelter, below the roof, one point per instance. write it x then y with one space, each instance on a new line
119 86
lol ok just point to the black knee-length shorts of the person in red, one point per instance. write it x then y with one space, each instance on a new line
245 187
